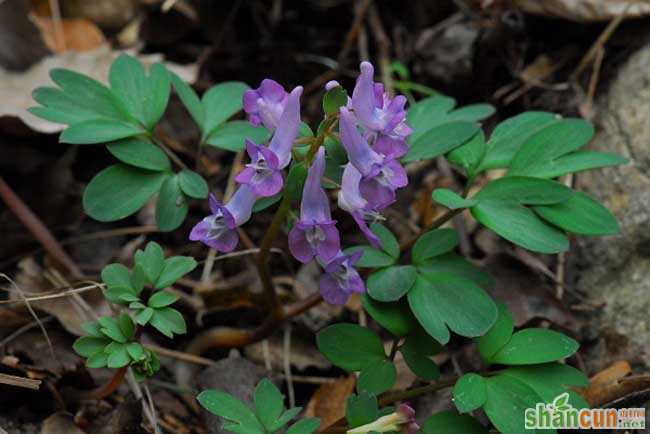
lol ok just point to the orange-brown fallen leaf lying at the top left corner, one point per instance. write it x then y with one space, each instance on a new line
76 34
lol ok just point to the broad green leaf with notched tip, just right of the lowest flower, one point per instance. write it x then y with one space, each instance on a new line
437 299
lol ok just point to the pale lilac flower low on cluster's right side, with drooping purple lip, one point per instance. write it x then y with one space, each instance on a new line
351 201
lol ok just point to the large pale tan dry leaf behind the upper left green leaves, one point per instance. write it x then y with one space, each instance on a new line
16 88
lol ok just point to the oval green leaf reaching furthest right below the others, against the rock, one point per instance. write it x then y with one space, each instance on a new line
580 215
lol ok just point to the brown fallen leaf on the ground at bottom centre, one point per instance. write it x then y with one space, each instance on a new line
329 400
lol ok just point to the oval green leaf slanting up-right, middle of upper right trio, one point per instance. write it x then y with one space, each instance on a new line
553 141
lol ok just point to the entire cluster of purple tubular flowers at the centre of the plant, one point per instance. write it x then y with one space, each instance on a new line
373 132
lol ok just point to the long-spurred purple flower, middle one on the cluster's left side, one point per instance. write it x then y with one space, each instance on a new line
264 173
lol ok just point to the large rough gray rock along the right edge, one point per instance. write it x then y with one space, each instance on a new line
616 269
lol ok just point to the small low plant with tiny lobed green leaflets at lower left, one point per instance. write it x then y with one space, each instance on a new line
140 296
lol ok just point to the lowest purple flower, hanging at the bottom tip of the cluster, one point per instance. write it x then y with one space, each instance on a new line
341 279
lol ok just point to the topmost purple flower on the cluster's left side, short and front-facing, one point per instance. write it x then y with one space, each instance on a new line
265 104
